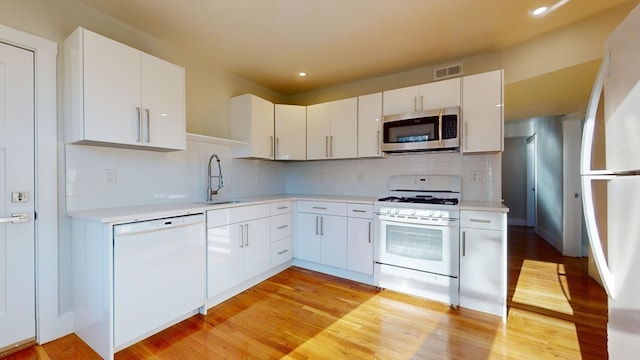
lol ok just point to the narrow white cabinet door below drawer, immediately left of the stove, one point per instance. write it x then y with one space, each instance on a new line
360 245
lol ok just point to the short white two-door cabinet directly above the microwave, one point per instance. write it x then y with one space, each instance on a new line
439 94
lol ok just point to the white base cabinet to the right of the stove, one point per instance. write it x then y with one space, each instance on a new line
483 261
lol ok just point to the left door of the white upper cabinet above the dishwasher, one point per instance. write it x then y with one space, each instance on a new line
111 88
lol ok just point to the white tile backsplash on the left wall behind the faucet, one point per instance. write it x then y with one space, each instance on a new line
148 177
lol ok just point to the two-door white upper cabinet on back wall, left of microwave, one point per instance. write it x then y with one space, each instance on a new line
332 130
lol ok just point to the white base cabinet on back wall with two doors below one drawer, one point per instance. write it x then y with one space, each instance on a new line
321 234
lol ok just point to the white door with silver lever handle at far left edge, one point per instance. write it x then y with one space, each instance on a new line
17 278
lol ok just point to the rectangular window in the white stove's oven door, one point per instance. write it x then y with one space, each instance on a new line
417 243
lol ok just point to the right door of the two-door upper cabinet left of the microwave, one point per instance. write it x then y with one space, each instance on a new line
343 141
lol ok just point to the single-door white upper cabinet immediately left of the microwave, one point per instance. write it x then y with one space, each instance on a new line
369 125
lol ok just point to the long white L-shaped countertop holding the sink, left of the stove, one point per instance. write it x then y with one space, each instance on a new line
157 211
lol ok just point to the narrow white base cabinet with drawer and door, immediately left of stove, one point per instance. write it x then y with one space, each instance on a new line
360 238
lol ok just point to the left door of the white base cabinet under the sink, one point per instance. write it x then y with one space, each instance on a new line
224 259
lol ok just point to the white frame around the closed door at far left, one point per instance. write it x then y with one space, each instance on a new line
49 324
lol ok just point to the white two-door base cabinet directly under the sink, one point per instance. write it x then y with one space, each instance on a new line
238 246
